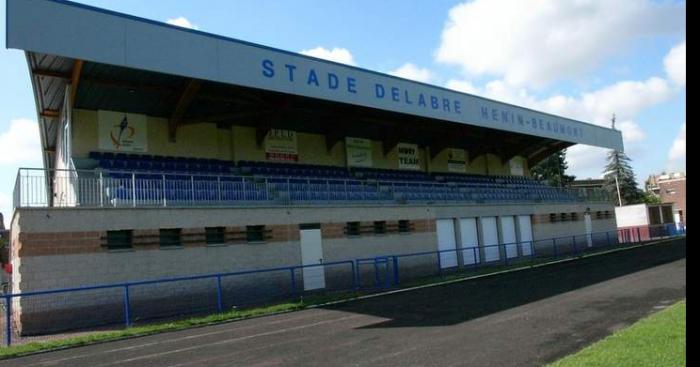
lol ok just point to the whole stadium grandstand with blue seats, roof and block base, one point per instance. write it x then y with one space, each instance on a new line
169 151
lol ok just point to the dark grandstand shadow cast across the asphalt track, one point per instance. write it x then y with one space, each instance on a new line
462 301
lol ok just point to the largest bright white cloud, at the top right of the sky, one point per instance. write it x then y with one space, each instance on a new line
535 42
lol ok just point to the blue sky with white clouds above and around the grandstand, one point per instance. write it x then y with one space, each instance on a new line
579 59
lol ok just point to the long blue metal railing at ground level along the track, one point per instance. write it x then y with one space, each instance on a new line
385 270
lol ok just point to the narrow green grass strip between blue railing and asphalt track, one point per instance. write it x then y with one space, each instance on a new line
239 314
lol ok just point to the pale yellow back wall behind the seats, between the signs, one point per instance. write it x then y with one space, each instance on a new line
205 140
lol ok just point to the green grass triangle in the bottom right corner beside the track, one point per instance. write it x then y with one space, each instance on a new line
658 340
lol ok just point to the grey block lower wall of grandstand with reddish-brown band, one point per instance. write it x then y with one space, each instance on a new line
64 247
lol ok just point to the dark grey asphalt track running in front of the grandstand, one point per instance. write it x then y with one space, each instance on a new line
525 318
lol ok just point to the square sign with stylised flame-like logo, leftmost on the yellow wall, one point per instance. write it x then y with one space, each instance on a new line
123 132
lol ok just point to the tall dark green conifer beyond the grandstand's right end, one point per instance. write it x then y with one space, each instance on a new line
619 165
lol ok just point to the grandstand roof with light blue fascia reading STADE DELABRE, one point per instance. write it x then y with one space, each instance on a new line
121 62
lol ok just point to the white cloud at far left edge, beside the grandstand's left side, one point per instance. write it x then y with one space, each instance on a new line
20 143
